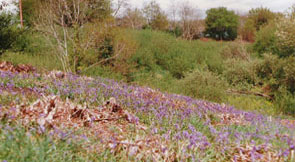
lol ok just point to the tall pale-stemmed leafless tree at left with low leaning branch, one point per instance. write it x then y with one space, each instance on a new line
72 26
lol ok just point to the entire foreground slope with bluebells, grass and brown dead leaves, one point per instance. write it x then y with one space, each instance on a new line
59 116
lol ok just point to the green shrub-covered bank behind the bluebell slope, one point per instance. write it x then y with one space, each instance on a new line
223 72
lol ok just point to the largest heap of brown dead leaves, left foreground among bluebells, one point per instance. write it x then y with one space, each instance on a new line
110 123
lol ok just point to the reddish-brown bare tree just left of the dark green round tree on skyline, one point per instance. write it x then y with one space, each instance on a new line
190 20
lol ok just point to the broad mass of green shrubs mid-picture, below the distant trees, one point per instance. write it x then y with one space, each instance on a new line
161 51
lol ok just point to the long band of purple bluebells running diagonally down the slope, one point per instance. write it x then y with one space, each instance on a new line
170 119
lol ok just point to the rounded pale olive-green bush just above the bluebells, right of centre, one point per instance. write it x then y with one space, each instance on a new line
204 84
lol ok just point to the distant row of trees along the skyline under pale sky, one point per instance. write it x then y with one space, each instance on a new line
181 19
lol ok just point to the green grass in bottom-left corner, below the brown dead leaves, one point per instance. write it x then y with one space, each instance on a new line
22 145
